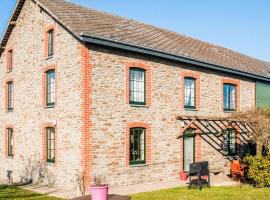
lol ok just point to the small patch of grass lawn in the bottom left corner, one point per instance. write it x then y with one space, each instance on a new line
20 194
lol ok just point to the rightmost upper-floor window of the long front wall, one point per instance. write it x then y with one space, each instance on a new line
229 97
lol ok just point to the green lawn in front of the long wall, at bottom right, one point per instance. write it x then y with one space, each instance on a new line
214 193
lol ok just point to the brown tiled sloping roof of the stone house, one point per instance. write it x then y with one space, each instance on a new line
84 21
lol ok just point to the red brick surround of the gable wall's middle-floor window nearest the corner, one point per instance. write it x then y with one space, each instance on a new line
44 70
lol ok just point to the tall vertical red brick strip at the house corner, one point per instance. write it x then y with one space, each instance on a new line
86 114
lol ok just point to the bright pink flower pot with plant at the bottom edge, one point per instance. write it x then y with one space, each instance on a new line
99 191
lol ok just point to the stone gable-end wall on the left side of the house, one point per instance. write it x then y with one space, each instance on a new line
29 115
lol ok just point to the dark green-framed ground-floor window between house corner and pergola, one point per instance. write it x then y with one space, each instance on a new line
137 146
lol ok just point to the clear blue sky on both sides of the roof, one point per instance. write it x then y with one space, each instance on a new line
241 25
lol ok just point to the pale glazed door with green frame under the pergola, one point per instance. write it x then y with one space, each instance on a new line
189 149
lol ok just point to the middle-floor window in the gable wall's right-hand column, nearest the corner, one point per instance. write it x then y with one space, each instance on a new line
50 88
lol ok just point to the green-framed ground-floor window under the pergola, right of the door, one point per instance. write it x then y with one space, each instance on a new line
230 145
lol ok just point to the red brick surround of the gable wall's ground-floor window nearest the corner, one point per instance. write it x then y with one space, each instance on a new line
44 145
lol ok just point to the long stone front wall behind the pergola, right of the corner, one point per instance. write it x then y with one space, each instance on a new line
112 113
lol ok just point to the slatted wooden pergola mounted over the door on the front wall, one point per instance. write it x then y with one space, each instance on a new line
214 125
